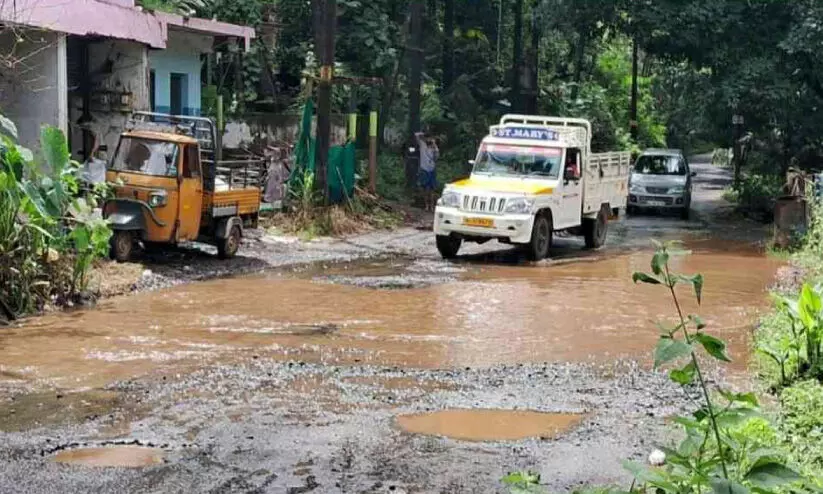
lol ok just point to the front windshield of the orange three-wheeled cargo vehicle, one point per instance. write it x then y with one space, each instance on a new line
146 156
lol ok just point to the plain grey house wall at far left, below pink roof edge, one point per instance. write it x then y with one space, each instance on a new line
33 92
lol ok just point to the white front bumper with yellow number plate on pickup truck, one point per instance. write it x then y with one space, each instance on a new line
515 228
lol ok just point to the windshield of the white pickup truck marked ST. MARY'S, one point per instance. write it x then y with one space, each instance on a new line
497 159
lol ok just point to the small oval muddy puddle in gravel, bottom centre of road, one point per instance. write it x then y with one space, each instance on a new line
489 425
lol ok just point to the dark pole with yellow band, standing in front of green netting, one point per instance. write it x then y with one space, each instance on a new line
328 18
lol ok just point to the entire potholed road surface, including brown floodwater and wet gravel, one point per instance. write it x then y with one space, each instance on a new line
398 372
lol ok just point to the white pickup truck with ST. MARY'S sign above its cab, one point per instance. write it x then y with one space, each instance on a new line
533 176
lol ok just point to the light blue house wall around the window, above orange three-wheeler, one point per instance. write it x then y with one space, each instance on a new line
182 56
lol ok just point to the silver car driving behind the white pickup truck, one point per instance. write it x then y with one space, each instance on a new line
661 179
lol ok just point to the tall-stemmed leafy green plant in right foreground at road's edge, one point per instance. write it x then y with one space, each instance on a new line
719 453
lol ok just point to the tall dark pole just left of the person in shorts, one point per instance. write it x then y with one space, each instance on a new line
417 10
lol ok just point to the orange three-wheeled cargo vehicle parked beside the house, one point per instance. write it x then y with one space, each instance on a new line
170 186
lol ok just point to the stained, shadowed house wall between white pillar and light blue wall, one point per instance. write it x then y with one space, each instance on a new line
119 83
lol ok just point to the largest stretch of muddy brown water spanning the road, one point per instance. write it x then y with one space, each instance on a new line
490 314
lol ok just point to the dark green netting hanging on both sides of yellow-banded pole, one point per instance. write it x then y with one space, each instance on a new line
342 161
